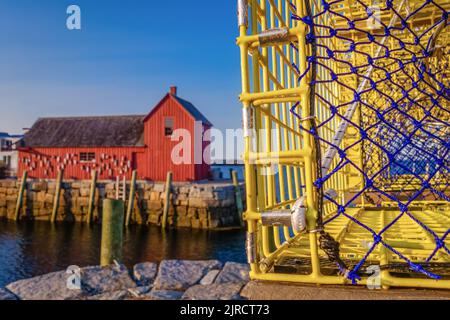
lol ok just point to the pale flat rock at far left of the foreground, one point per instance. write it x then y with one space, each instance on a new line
52 286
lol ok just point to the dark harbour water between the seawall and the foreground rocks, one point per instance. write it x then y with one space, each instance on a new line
35 248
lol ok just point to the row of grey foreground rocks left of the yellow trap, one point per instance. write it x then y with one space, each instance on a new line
170 280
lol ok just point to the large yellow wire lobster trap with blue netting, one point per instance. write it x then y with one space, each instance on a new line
347 137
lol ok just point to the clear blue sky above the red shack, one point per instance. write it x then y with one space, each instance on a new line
123 60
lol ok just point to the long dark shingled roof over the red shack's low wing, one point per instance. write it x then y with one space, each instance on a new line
107 131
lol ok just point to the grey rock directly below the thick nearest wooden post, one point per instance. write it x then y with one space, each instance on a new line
97 280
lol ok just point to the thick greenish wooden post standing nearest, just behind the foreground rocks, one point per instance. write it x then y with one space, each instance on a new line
112 232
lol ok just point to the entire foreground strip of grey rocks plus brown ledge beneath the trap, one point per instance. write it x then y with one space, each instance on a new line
188 280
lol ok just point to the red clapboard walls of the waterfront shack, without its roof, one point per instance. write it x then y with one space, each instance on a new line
152 161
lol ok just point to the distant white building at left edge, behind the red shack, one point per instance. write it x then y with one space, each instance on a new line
9 155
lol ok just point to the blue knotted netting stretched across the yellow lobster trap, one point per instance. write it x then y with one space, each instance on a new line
404 132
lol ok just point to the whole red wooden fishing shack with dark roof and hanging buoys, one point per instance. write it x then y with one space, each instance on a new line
114 146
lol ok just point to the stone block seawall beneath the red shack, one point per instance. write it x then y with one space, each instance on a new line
207 205
